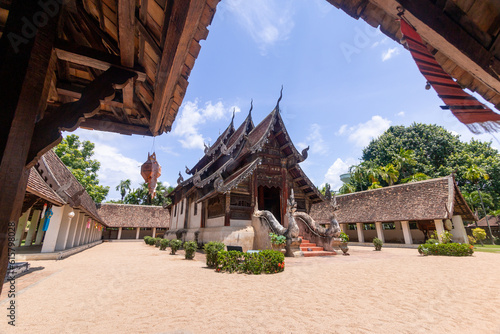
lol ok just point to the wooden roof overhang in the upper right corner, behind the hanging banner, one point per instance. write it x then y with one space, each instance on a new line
463 35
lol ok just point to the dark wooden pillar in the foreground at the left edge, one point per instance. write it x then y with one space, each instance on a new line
26 69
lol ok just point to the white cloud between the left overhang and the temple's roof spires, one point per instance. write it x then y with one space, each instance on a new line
192 116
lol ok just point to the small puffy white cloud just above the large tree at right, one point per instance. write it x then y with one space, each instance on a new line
363 133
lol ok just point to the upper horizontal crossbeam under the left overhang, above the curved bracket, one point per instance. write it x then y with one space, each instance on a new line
92 58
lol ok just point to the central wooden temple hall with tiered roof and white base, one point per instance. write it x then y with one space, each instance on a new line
247 168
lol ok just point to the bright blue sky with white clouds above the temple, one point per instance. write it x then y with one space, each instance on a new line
344 84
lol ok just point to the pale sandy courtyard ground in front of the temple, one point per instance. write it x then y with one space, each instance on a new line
134 288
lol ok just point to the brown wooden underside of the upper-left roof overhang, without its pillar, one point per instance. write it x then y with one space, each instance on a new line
157 41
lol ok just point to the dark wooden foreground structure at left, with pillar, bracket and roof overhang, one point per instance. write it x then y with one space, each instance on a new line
108 65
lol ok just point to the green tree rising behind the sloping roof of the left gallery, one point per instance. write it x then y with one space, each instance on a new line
77 156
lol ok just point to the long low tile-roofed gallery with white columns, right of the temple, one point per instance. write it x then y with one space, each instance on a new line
405 213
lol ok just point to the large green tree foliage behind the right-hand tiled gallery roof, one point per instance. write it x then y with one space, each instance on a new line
423 151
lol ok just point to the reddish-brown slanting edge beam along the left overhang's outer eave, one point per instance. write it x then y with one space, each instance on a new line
183 24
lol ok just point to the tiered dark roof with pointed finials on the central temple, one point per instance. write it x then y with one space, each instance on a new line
235 156
